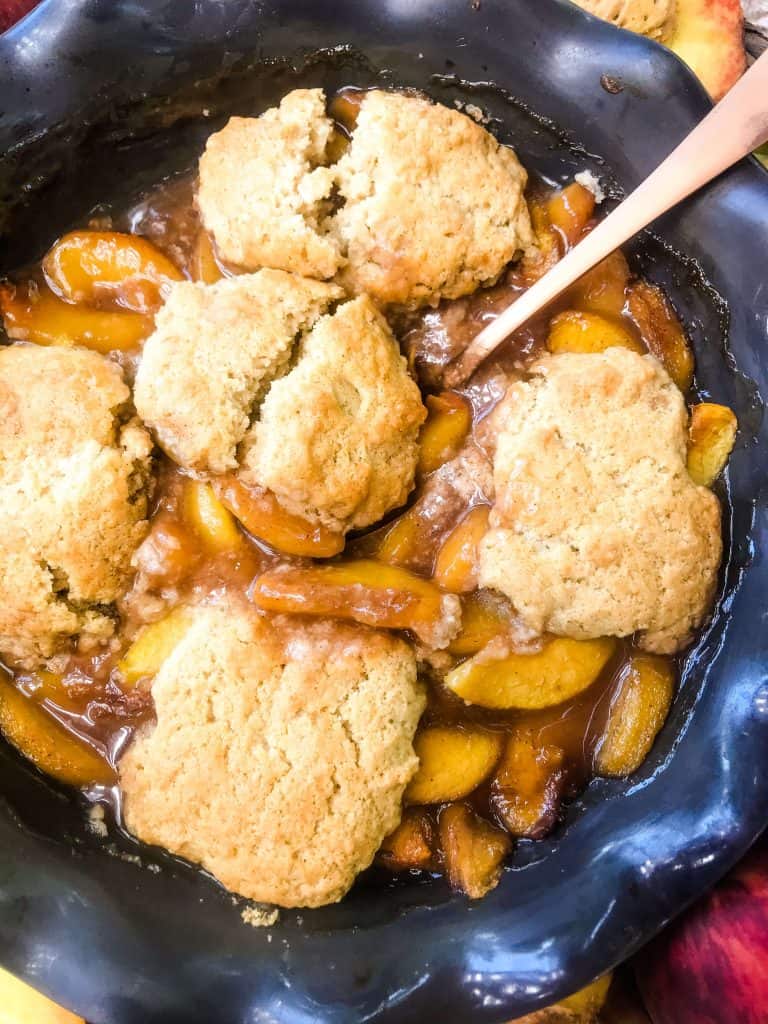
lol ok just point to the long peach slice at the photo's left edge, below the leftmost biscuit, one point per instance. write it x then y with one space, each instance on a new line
48 744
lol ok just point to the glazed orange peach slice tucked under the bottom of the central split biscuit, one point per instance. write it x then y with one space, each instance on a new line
263 516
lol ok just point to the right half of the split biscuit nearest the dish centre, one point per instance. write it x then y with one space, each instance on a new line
337 438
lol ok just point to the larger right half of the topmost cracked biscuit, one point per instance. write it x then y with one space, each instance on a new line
434 205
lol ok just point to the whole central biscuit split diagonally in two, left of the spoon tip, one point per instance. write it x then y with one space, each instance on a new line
319 409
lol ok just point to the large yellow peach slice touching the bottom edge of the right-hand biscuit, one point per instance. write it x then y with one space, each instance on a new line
559 672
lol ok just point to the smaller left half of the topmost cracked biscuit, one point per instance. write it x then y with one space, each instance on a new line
264 191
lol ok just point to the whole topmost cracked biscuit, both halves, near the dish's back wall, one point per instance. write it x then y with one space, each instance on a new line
424 205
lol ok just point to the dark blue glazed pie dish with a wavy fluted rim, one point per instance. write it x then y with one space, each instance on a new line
100 99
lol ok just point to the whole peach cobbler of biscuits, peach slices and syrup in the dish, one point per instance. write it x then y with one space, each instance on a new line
275 593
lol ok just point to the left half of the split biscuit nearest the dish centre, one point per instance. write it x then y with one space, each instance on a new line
215 353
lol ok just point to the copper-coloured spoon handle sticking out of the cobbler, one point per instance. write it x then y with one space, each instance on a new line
732 131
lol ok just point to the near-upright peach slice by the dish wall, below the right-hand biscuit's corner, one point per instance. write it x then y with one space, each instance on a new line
638 711
